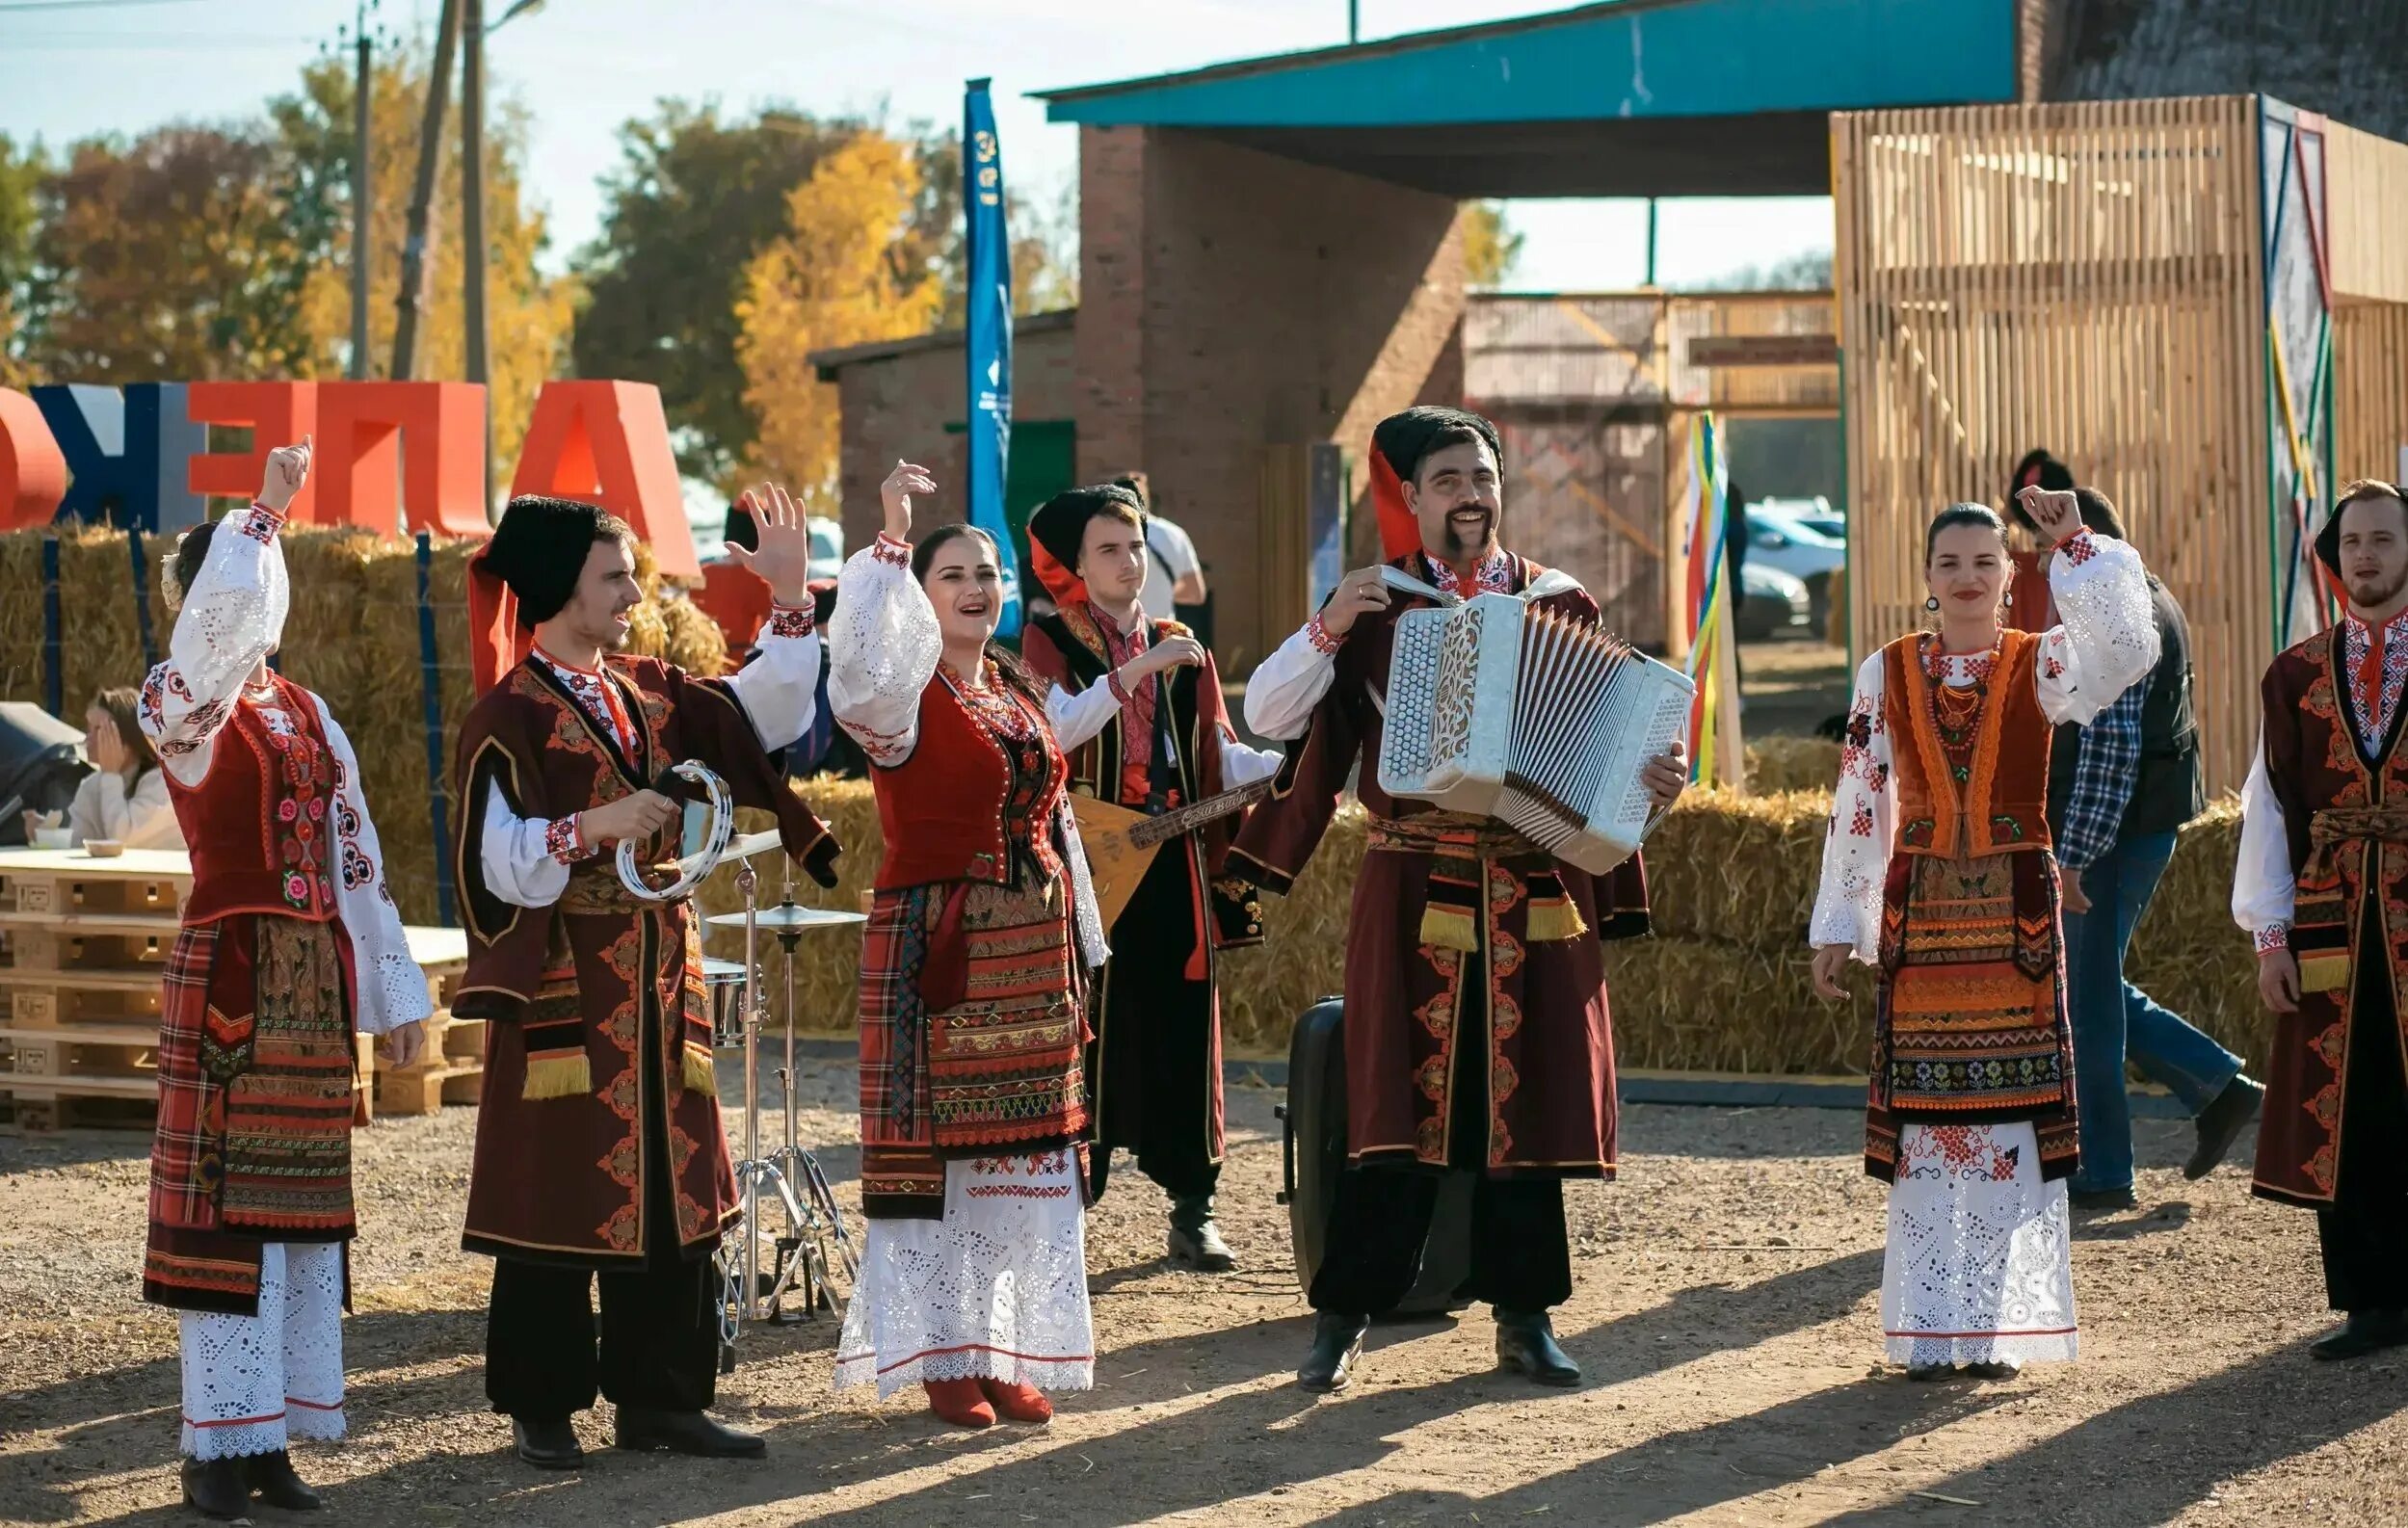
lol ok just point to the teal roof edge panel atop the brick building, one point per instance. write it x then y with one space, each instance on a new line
1615 61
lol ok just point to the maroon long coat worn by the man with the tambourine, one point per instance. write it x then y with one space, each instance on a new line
562 1178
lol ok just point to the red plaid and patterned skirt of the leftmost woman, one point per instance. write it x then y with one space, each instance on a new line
254 1137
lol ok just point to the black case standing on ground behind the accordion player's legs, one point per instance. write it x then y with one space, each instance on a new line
1314 1156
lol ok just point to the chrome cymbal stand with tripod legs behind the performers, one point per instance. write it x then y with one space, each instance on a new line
791 1175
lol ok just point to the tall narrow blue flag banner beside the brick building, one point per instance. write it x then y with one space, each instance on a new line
991 338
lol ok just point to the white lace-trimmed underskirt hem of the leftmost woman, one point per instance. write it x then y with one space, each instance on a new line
256 1382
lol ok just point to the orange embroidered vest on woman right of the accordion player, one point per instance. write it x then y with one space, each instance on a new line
1995 795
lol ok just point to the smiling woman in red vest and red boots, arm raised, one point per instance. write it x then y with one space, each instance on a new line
981 937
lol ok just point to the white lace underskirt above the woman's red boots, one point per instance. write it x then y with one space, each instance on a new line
998 1289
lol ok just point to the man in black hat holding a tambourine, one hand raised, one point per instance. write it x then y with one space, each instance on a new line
601 1147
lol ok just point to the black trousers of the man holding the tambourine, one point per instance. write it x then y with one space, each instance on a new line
661 1325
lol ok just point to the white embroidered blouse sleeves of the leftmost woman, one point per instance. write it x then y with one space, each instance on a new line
230 622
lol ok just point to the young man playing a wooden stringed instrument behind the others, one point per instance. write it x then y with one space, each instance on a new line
1138 706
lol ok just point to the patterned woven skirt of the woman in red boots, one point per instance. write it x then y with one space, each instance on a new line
972 1036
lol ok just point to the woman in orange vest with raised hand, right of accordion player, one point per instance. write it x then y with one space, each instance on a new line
1940 875
